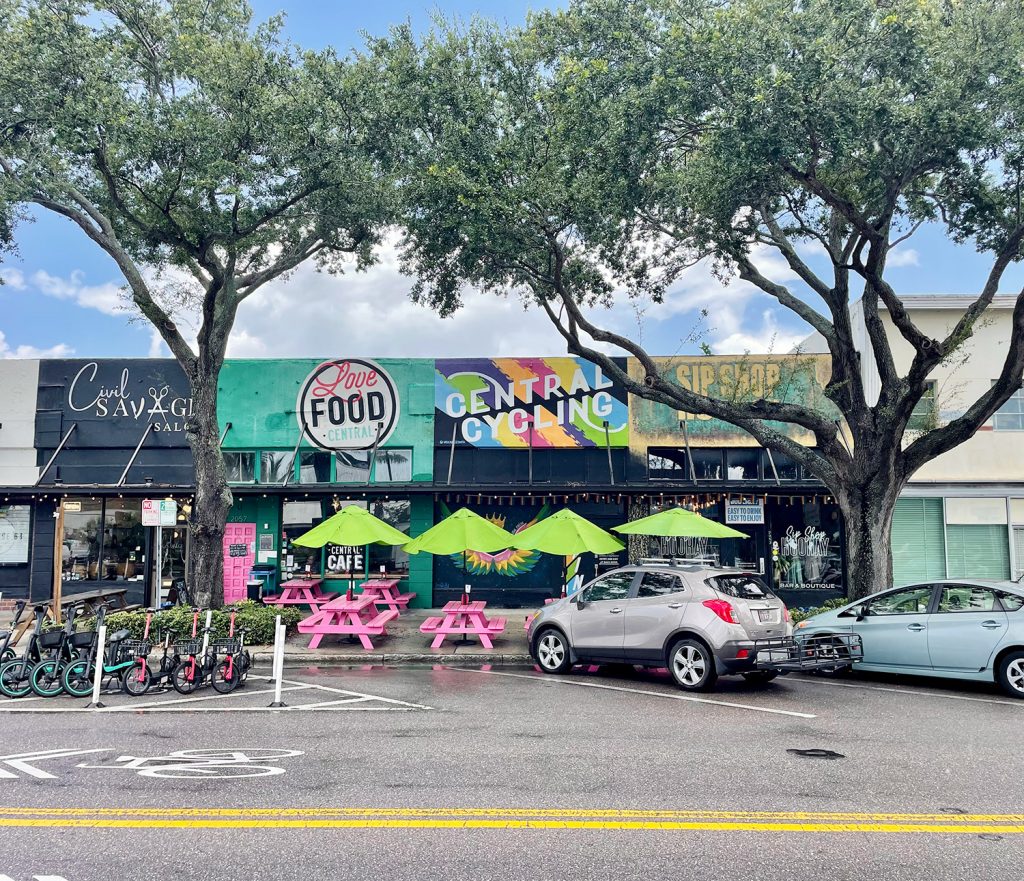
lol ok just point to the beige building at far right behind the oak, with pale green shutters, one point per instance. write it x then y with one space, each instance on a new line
963 514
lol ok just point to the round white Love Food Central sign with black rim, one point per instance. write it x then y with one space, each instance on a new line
348 404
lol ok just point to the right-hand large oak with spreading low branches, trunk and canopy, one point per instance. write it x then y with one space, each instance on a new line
603 151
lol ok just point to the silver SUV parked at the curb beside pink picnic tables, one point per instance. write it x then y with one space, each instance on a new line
697 621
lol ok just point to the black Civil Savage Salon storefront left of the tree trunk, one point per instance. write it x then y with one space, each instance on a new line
110 437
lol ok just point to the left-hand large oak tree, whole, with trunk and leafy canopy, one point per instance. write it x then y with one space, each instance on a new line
206 157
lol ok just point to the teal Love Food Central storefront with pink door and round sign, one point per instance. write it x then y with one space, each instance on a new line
373 423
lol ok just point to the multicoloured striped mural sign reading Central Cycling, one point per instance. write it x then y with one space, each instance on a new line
524 402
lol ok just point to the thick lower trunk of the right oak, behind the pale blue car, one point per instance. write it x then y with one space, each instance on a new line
868 513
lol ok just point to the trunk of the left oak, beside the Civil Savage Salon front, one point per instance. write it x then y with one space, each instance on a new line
214 498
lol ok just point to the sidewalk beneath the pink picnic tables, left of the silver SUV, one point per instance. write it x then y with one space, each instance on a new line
406 645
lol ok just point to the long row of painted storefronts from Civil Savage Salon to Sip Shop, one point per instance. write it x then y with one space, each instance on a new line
513 439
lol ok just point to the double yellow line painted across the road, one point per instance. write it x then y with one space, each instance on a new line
659 821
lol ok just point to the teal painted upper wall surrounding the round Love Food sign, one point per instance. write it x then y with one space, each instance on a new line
259 399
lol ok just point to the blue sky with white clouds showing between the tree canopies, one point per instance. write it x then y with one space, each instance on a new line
63 298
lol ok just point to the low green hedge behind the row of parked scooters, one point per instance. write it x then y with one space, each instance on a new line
255 617
